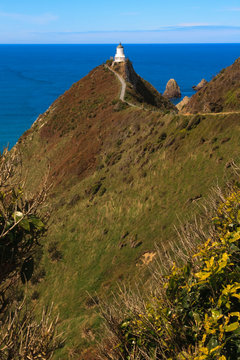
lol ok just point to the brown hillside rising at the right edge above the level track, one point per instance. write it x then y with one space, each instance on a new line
220 94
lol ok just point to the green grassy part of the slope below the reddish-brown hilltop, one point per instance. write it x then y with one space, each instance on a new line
147 191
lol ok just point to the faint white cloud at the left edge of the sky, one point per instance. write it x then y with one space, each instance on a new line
35 19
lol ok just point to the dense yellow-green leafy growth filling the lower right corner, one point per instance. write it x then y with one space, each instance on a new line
196 316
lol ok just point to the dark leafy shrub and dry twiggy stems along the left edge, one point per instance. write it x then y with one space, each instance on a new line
21 337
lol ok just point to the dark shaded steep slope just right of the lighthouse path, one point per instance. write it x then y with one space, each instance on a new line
141 91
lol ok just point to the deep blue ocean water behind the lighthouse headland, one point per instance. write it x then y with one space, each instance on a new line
33 76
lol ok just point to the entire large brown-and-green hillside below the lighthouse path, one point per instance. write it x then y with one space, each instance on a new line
121 177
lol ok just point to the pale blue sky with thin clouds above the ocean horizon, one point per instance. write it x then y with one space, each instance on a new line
131 21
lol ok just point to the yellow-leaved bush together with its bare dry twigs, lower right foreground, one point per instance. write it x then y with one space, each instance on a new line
191 310
